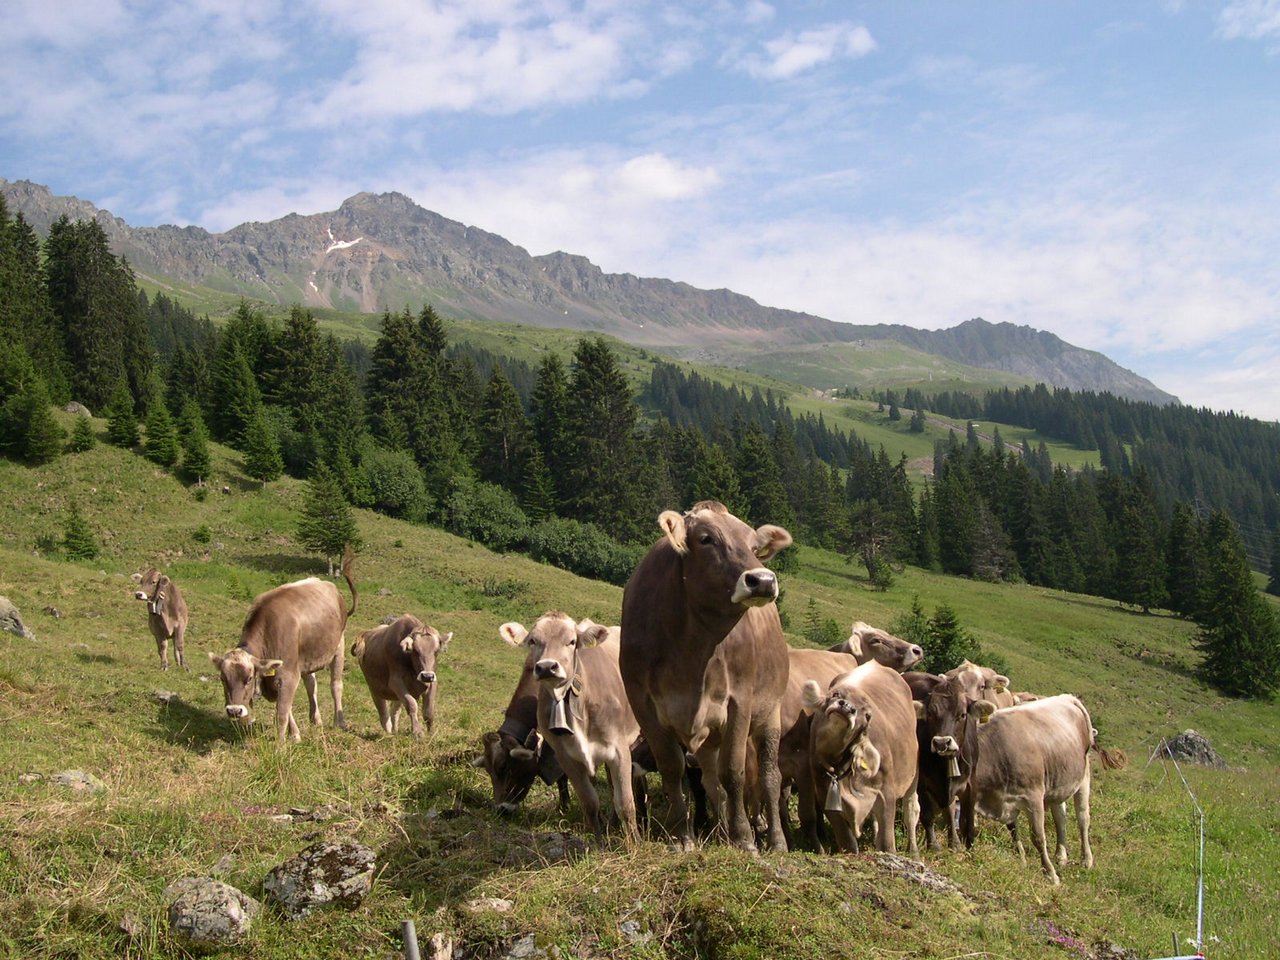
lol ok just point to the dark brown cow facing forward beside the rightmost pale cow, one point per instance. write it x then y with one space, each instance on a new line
947 737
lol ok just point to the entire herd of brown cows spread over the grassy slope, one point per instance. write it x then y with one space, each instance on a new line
700 685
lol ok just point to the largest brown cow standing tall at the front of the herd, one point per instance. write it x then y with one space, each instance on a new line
705 662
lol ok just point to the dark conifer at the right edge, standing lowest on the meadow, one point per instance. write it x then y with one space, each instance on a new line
1240 634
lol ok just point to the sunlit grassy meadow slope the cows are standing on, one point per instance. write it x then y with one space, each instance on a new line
83 876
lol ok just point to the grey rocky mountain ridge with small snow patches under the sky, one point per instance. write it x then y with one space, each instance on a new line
383 252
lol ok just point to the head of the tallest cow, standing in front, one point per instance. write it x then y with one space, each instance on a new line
723 555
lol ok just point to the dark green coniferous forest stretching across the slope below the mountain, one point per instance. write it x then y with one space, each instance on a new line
569 463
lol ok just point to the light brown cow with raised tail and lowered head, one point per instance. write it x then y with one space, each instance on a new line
290 634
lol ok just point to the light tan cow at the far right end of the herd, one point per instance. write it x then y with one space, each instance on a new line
1036 757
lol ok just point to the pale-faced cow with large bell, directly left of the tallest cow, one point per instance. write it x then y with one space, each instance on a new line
583 710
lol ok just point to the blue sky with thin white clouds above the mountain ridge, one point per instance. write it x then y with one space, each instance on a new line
1107 171
